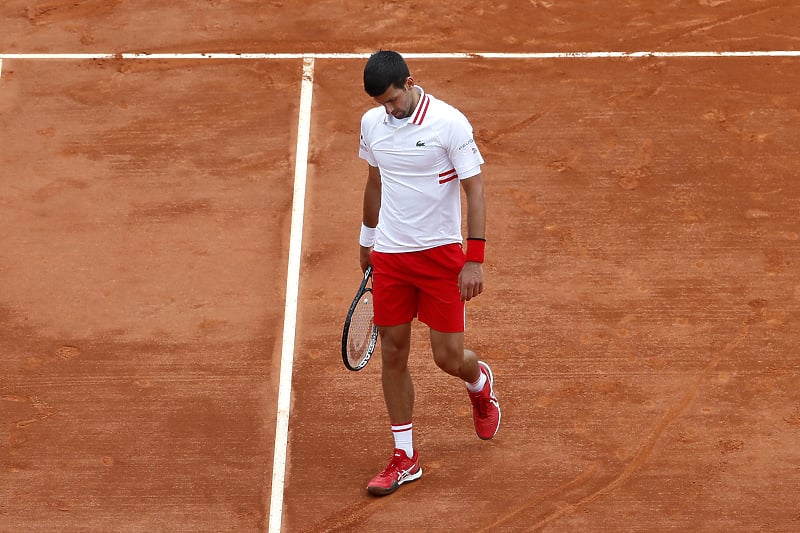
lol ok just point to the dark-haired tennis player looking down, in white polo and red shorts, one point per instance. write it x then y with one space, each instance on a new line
421 153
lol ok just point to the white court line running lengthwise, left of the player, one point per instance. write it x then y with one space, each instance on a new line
292 290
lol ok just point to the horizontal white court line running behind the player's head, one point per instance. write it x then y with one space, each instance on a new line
457 55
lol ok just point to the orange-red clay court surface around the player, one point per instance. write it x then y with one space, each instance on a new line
643 296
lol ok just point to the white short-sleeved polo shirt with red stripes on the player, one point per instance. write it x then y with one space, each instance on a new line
421 159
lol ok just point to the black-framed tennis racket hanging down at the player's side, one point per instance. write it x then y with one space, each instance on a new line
360 334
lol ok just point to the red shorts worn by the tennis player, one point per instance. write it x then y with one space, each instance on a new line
423 284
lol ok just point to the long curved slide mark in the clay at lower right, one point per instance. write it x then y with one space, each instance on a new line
652 438
